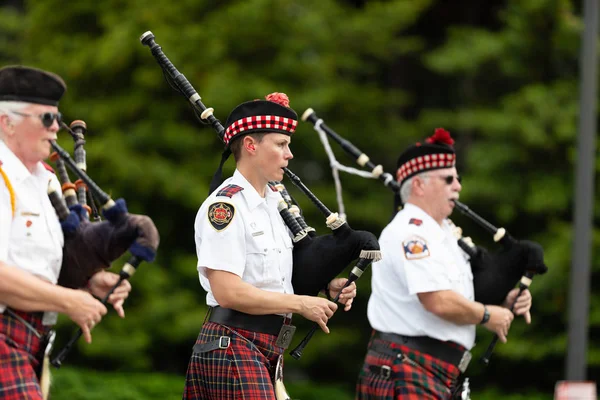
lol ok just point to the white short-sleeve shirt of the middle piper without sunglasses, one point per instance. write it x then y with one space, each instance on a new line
244 234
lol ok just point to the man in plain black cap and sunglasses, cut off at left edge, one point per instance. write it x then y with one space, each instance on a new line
31 238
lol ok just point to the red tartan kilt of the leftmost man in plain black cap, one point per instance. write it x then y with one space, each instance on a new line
19 351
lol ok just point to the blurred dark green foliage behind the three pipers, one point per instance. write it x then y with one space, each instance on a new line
502 76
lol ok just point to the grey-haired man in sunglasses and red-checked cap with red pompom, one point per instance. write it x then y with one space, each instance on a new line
422 307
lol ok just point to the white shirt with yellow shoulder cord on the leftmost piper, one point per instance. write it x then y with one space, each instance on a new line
32 238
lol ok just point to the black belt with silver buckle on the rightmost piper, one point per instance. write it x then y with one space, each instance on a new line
435 348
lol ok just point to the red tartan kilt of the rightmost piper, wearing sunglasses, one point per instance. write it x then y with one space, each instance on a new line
414 375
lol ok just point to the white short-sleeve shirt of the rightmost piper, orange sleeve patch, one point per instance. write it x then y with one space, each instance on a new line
418 255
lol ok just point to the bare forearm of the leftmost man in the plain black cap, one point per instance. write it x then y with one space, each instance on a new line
23 291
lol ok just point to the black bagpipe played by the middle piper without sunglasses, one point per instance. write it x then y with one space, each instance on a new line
317 259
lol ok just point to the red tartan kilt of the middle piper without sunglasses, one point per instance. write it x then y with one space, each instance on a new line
242 371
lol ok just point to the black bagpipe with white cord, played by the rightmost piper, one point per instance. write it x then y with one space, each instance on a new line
494 274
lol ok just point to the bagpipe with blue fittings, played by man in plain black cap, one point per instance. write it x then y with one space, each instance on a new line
91 246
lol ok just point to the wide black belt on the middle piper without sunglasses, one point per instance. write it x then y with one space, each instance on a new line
270 324
